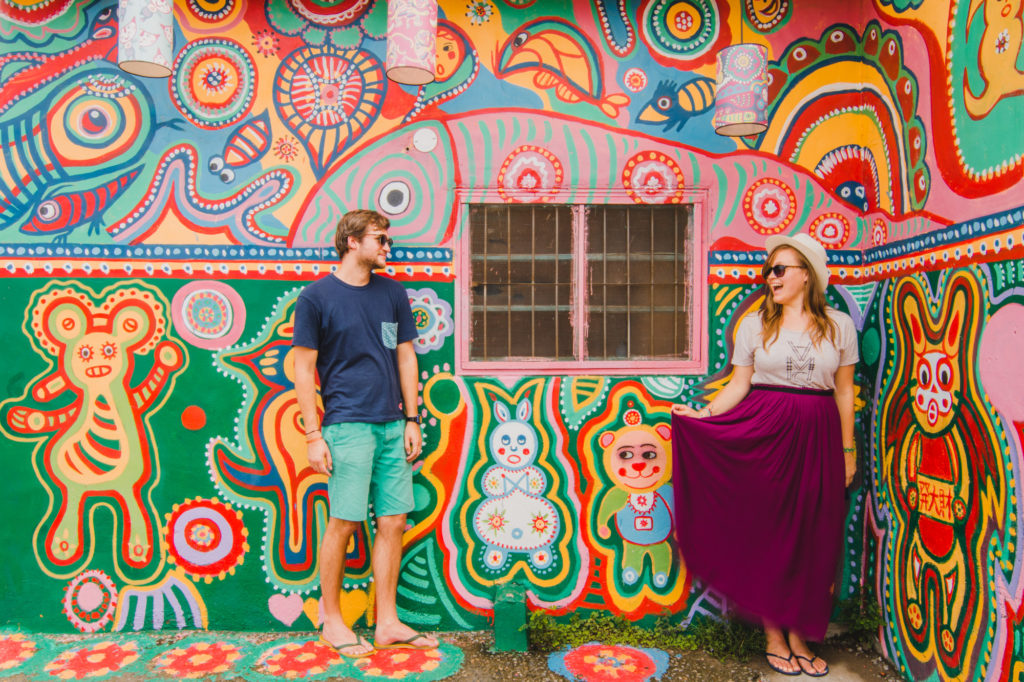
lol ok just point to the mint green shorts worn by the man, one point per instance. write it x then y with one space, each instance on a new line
369 465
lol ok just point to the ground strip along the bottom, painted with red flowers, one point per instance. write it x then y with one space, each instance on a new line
465 657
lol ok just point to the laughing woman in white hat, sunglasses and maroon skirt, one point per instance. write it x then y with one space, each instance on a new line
759 471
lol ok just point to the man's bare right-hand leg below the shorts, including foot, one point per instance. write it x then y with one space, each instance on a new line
388 563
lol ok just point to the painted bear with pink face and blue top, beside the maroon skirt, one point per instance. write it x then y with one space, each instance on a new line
642 502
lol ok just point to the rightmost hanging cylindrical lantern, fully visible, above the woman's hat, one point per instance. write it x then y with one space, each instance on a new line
742 96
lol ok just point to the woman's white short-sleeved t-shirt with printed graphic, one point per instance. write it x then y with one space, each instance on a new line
793 359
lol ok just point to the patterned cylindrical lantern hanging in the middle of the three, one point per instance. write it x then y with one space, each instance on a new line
412 36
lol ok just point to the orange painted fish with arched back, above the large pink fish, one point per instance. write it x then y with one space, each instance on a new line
561 58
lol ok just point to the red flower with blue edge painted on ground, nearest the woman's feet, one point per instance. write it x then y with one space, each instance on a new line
602 663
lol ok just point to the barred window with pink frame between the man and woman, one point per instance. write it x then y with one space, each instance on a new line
580 286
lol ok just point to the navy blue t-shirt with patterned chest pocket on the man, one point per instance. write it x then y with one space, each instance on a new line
356 331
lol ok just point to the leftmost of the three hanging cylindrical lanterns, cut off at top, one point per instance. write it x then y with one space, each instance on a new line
146 37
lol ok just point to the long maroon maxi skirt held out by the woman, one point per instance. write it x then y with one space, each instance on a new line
760 504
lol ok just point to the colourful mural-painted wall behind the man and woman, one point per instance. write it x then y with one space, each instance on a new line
155 234
